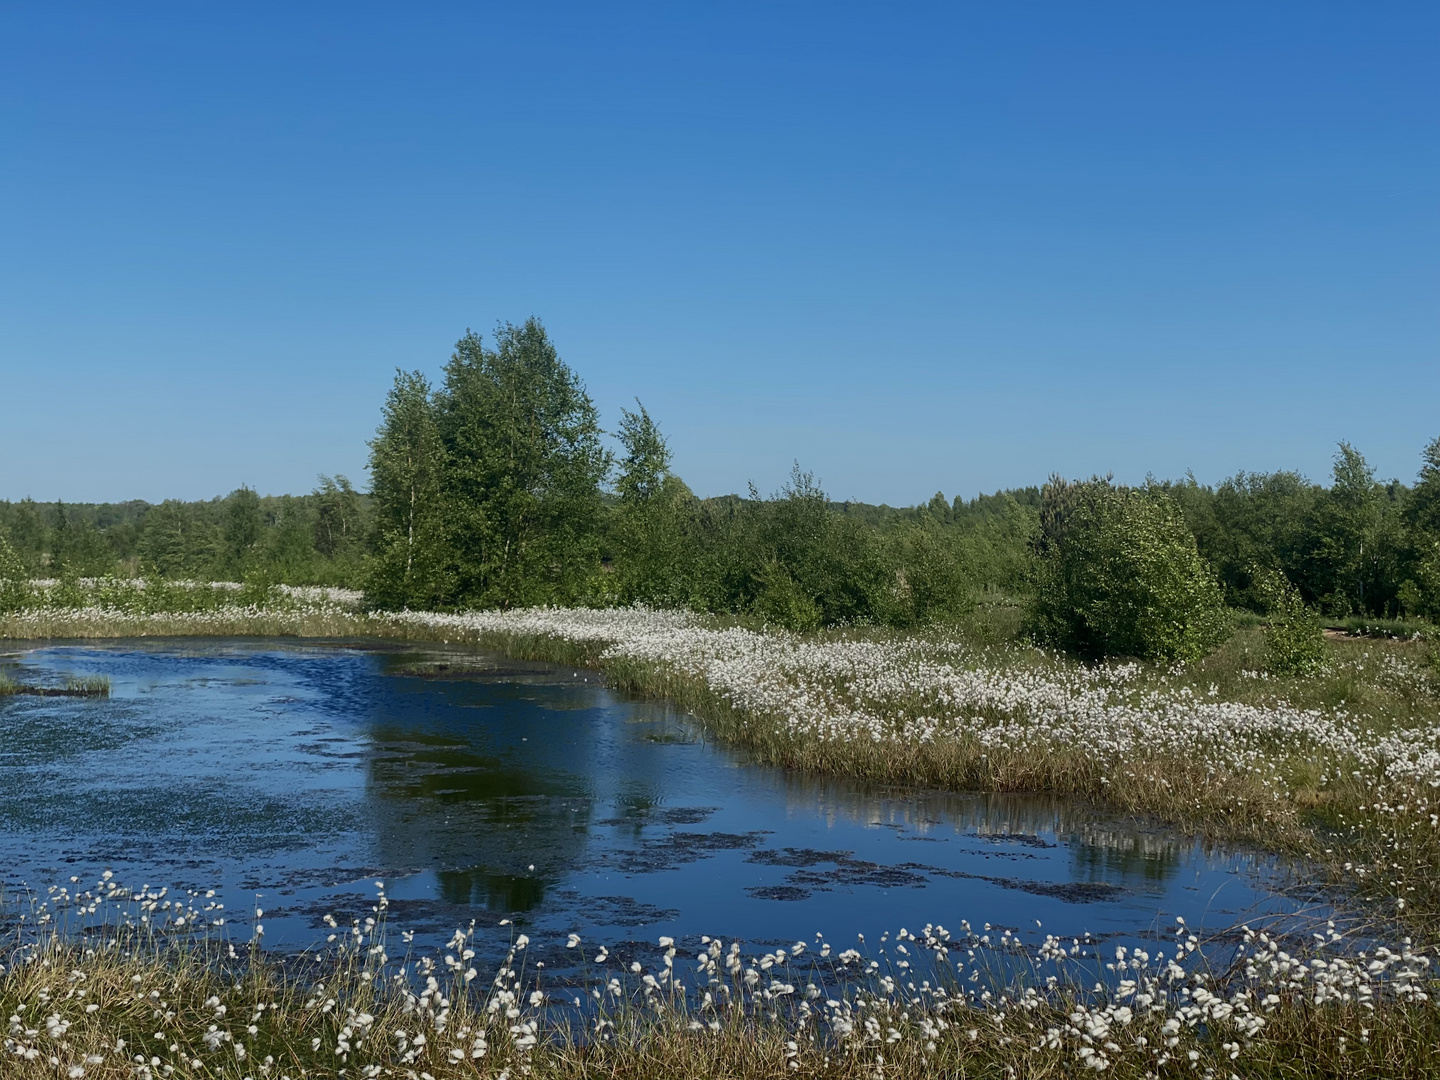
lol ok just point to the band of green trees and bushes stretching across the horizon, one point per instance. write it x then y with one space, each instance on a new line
499 489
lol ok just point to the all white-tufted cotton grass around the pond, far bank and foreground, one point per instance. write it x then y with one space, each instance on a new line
1340 770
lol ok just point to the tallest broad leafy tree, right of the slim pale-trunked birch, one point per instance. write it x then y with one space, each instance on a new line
523 472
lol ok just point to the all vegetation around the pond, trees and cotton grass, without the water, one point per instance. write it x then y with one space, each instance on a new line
1255 663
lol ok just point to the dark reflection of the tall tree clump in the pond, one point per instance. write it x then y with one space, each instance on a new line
451 788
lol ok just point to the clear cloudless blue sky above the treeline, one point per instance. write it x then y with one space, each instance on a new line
917 248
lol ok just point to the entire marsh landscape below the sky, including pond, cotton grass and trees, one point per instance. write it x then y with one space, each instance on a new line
529 762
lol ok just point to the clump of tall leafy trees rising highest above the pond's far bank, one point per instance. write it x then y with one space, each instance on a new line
487 492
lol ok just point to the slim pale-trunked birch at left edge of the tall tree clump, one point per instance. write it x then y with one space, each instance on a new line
411 562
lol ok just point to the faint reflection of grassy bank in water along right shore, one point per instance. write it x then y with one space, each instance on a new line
1102 846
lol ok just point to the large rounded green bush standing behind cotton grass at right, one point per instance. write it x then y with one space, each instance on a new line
1117 574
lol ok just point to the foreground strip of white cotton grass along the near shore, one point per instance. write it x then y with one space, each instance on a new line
117 983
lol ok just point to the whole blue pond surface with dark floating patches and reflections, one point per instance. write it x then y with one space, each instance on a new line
515 790
